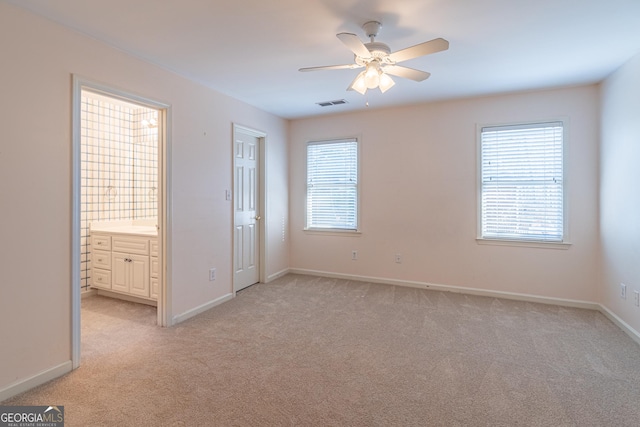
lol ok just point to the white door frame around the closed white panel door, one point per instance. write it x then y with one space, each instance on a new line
262 200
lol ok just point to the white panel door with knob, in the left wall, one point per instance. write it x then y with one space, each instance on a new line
247 218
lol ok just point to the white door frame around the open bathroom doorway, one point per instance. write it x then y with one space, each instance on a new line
164 309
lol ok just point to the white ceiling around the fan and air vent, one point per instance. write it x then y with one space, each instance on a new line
252 49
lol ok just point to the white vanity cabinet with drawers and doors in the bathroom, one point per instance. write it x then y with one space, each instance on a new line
124 264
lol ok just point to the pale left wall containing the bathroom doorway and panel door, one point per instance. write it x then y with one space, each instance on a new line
38 60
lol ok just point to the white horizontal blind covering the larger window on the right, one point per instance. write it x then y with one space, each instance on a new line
522 182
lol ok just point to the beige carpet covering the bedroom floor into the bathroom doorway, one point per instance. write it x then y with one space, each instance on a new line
308 351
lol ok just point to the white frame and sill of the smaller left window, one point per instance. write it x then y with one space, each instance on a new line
327 230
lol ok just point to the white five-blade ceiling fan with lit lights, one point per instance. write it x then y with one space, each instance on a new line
379 61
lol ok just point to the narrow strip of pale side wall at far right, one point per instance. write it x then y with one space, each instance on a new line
619 194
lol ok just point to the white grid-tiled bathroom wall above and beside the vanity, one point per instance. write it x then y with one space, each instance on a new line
119 166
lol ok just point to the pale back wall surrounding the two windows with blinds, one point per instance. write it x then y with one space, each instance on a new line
419 197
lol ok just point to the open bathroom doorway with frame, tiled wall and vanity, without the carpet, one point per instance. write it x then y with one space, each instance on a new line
119 200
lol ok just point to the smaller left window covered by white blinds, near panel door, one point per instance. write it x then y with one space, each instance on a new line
332 185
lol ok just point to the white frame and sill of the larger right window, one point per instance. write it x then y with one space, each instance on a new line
537 243
